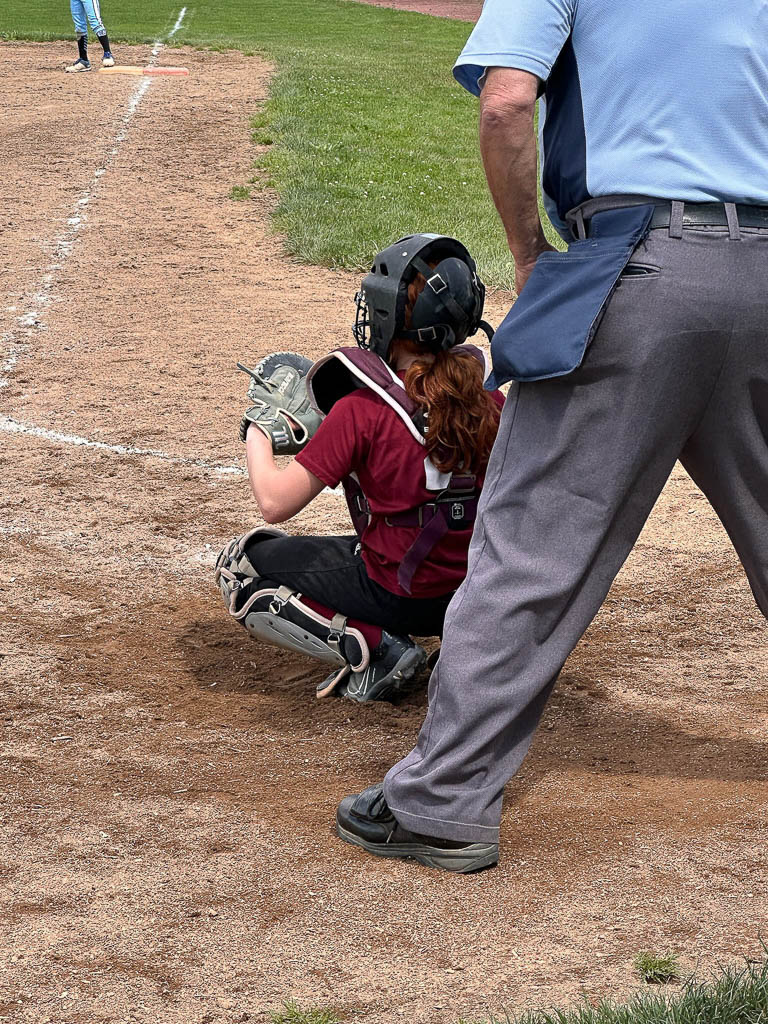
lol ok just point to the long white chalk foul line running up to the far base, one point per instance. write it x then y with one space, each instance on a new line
33 319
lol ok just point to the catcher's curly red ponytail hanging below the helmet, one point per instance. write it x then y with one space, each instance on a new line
462 418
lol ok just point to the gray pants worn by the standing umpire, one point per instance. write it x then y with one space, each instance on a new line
678 370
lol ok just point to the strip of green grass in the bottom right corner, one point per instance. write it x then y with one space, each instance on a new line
734 996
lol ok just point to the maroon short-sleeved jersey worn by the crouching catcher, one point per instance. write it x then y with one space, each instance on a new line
362 435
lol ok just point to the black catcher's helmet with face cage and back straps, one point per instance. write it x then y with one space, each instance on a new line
447 312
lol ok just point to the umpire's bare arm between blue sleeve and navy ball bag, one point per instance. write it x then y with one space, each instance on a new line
509 155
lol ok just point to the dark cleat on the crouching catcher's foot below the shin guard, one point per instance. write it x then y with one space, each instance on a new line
396 663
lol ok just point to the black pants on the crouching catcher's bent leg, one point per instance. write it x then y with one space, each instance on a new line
331 571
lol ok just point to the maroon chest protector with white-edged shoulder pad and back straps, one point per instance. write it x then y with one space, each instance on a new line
456 495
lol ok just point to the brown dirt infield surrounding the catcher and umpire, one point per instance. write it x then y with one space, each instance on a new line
168 787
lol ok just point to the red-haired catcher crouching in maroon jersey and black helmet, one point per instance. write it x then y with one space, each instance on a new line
404 423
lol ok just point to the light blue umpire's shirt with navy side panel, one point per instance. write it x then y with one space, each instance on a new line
652 98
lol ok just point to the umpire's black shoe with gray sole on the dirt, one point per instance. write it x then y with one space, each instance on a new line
366 821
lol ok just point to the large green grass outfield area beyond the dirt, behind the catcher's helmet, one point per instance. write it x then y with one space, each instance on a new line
370 138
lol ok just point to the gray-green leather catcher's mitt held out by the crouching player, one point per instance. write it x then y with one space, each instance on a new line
280 404
